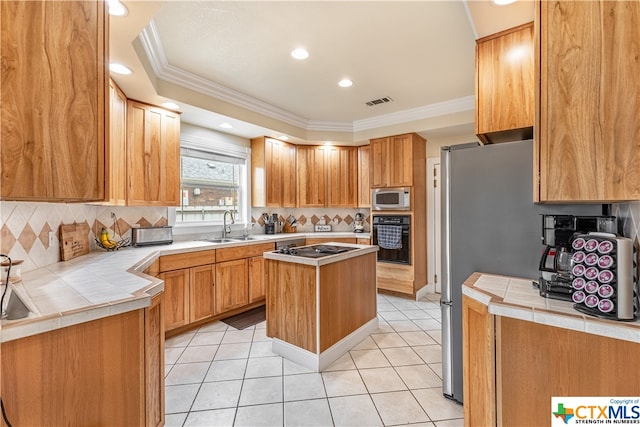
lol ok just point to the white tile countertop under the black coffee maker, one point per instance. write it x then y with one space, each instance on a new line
518 299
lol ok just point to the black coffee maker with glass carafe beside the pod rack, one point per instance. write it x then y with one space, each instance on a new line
556 262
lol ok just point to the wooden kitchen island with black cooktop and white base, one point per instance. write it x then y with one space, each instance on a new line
321 301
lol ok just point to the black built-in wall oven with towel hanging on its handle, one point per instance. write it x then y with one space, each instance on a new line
392 234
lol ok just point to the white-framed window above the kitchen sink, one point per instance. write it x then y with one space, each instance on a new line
211 184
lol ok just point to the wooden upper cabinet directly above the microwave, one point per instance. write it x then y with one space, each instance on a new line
392 159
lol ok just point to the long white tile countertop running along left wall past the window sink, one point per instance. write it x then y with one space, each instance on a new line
103 284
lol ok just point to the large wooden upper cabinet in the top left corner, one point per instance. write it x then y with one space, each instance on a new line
54 99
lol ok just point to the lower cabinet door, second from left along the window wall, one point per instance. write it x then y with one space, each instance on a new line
201 292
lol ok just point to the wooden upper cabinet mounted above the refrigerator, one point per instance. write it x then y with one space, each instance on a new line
505 88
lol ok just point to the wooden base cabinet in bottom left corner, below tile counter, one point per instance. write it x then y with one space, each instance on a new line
108 371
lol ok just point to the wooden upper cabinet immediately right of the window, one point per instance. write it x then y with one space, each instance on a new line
273 173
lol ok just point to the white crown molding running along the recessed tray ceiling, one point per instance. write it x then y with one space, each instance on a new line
152 45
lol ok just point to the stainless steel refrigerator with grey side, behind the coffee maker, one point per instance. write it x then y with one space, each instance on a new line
490 225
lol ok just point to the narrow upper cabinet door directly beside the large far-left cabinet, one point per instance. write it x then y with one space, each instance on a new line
116 161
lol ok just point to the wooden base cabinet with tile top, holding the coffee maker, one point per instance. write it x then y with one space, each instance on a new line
520 350
